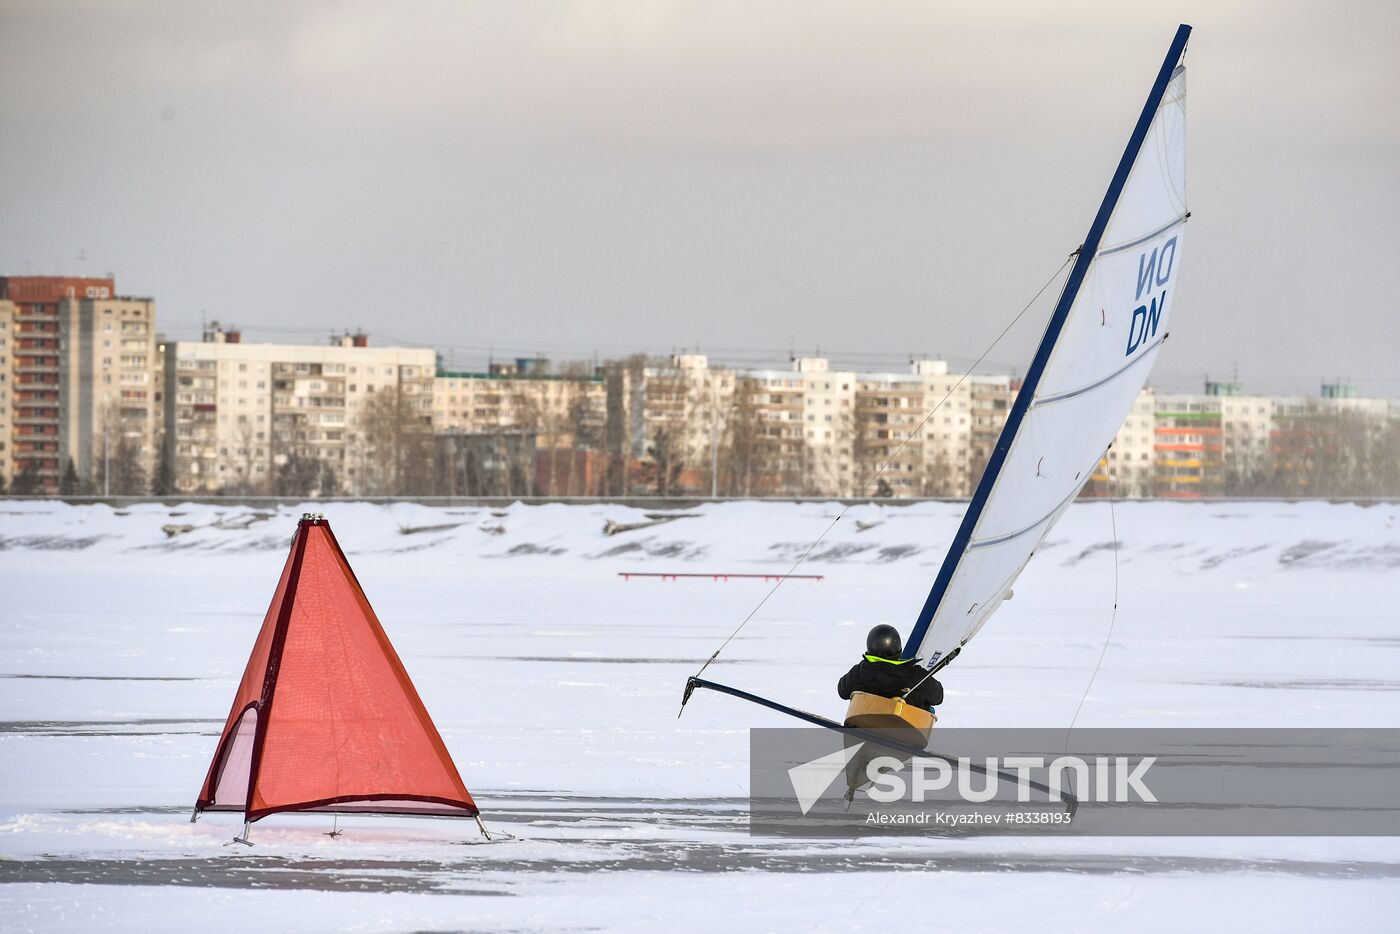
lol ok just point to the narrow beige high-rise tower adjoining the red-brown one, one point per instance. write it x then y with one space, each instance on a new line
108 414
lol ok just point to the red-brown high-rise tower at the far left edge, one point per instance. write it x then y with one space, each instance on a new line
36 359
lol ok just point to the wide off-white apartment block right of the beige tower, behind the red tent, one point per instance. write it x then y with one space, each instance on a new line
237 414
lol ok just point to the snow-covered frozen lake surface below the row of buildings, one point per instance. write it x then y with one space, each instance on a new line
556 683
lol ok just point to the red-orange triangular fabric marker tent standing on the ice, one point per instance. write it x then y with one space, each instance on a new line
325 718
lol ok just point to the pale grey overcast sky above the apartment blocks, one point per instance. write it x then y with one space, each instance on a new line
873 180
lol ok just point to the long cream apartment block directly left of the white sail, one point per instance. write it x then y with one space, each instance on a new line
824 432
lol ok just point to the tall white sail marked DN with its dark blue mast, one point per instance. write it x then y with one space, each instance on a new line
1093 361
